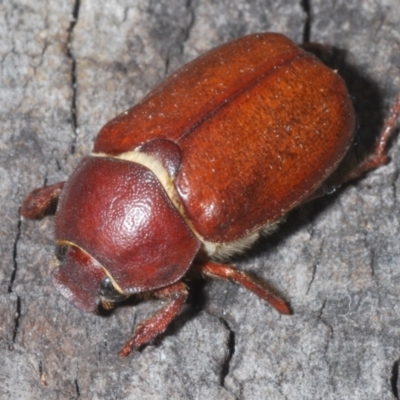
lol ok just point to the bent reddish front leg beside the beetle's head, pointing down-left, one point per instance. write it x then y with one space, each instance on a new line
157 324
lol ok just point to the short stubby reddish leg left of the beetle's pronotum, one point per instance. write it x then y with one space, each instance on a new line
41 200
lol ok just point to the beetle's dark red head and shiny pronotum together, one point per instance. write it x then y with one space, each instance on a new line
122 232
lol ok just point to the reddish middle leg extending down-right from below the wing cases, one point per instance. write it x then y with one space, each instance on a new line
214 270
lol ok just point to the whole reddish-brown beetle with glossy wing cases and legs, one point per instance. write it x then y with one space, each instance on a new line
208 161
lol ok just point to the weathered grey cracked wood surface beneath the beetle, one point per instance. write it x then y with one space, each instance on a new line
69 66
